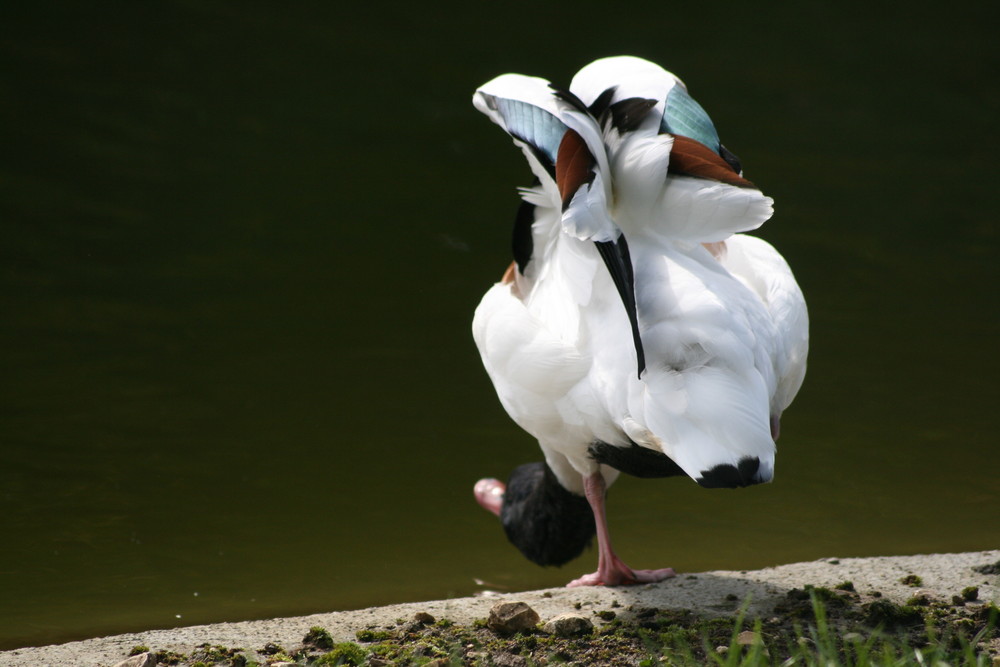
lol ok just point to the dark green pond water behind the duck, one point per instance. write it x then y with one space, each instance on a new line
241 244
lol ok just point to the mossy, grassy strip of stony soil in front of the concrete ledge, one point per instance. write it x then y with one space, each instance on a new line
814 627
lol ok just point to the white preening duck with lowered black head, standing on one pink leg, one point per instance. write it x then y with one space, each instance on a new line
637 330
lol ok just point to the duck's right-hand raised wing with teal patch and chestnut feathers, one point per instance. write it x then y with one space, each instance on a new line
673 177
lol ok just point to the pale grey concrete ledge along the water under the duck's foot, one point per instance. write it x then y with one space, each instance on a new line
718 592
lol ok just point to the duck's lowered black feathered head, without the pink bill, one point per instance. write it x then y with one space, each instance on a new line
547 523
